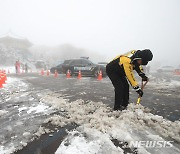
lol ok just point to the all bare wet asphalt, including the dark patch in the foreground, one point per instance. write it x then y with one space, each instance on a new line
160 100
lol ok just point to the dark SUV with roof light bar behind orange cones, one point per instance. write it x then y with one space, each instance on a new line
84 65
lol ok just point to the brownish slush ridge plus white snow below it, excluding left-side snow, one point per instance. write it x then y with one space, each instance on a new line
99 125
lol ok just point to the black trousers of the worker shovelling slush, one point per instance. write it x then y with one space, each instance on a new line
120 84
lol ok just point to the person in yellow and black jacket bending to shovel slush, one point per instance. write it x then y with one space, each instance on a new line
121 68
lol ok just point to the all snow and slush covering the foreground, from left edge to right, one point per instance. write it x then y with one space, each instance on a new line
22 122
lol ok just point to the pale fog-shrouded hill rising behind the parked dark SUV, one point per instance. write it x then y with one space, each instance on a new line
54 55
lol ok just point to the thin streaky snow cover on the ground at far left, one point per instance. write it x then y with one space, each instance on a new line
21 114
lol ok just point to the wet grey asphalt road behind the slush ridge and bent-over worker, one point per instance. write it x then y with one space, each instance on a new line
162 101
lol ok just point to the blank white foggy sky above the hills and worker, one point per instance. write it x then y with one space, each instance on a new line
109 27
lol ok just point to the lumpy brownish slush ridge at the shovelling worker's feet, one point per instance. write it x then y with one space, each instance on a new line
99 116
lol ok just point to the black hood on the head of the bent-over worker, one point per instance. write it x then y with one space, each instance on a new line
146 56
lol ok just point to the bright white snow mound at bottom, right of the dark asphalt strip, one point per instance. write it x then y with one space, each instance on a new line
97 142
